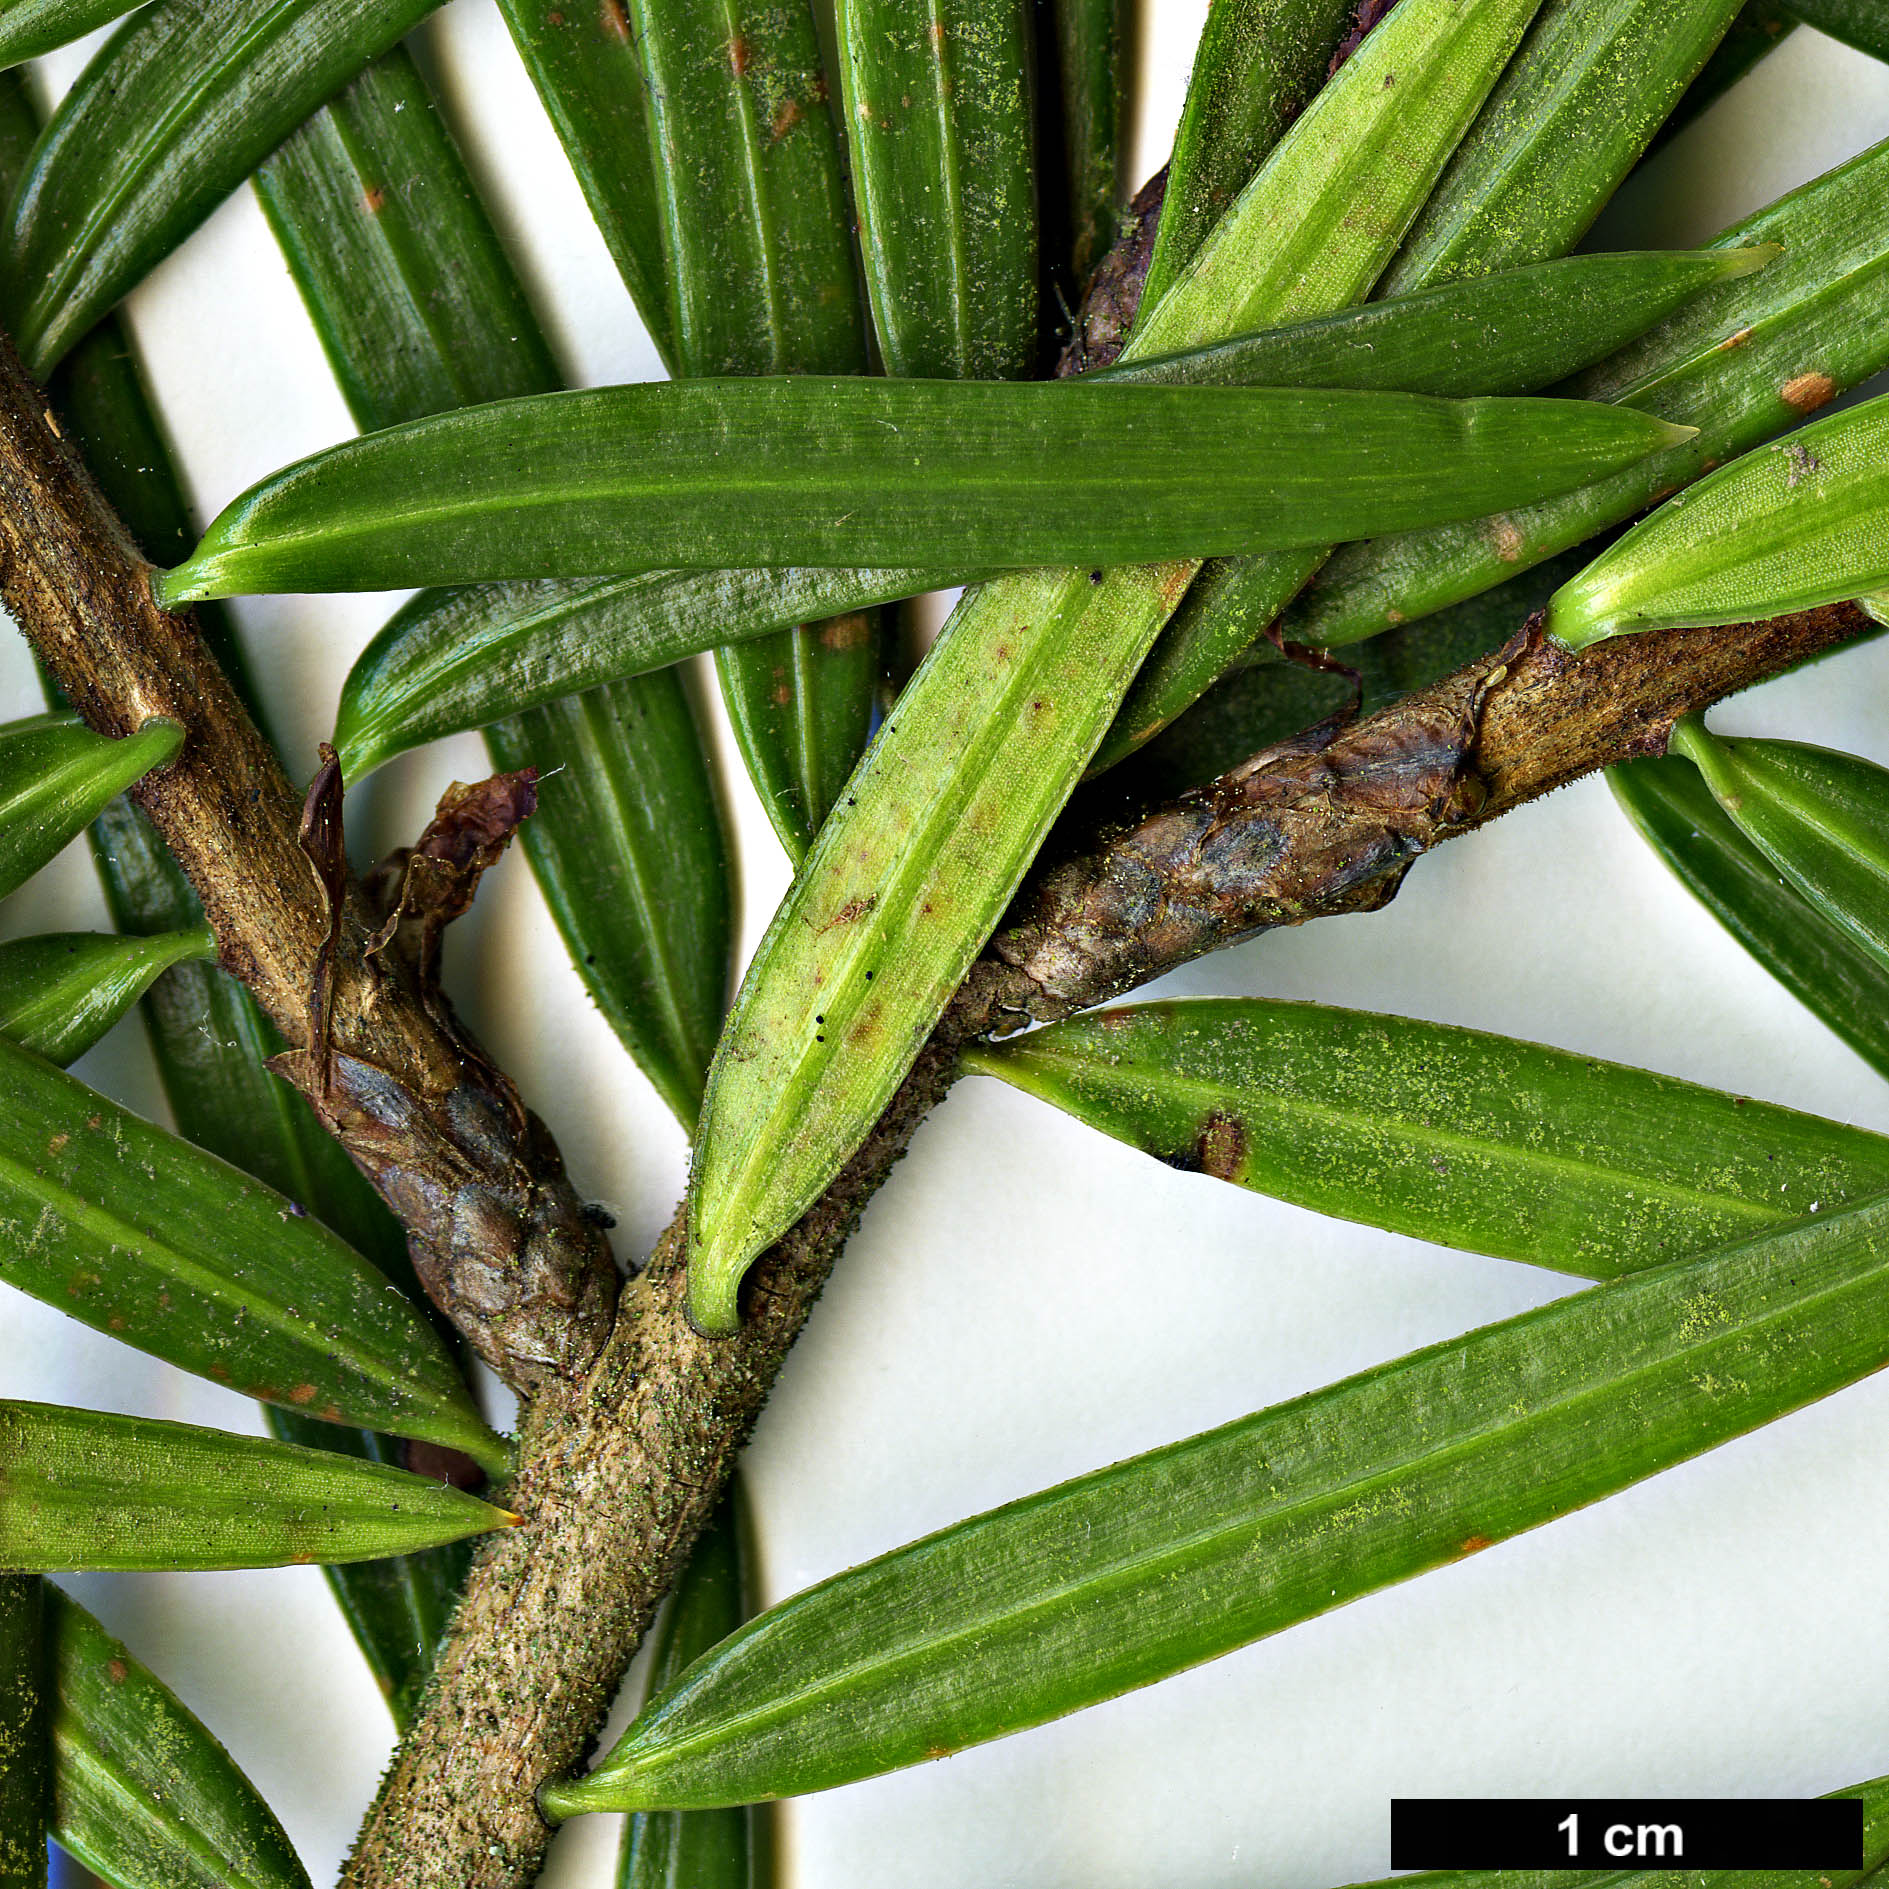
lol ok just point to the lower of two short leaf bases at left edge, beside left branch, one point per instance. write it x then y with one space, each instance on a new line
63 991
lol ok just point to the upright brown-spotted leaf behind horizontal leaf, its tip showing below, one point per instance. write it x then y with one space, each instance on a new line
760 273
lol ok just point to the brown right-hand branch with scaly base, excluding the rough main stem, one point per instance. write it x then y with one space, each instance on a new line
1331 821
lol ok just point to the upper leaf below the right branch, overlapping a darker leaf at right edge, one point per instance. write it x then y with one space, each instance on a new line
1816 815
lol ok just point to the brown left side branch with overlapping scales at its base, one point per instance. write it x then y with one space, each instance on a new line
496 1229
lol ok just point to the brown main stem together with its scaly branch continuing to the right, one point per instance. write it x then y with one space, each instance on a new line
621 1476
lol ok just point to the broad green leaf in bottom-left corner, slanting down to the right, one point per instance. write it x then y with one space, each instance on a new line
143 1794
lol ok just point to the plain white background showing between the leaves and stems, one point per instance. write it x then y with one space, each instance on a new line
1029 1301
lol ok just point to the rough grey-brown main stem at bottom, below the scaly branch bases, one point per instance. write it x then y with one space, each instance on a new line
617 1480
